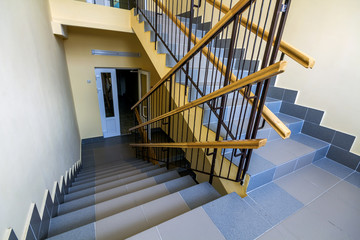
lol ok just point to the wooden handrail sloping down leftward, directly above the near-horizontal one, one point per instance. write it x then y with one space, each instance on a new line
258 76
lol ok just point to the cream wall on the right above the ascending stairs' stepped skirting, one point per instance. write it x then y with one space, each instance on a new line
329 33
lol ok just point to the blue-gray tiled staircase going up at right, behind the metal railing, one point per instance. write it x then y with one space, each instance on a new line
278 157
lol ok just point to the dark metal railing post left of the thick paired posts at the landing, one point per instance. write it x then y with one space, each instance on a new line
223 98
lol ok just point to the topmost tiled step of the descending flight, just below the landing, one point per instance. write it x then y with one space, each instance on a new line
145 216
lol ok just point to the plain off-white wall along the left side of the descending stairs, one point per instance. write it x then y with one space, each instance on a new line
39 135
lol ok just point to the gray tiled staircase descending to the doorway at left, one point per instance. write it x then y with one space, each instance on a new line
119 199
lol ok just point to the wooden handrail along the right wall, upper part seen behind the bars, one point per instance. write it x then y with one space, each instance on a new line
294 53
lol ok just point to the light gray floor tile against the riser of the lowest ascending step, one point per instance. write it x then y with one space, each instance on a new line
307 183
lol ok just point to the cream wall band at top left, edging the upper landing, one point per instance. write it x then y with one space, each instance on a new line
82 14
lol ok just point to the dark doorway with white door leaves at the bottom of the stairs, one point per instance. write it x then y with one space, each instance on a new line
118 90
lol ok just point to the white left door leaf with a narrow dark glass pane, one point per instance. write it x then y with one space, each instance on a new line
108 101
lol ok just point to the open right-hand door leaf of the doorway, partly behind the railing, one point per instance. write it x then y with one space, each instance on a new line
144 87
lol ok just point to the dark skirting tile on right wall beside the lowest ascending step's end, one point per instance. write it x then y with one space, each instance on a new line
344 157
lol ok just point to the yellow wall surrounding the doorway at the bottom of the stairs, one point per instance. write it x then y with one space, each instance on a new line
82 65
